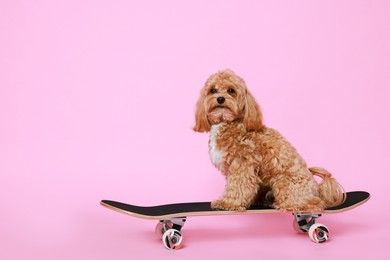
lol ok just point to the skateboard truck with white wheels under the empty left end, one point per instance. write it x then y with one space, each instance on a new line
169 231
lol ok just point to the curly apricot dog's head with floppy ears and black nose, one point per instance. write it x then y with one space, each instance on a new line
225 98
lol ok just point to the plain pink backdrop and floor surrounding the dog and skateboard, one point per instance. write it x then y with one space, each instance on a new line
97 101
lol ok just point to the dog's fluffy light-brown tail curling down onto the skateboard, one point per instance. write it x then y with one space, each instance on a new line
330 190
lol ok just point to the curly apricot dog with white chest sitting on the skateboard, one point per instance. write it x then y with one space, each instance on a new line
260 166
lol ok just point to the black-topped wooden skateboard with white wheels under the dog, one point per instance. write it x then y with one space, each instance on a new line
171 217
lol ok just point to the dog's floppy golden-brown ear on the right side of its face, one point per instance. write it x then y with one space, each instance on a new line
253 118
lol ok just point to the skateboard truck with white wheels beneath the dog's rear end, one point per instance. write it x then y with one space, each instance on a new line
305 222
